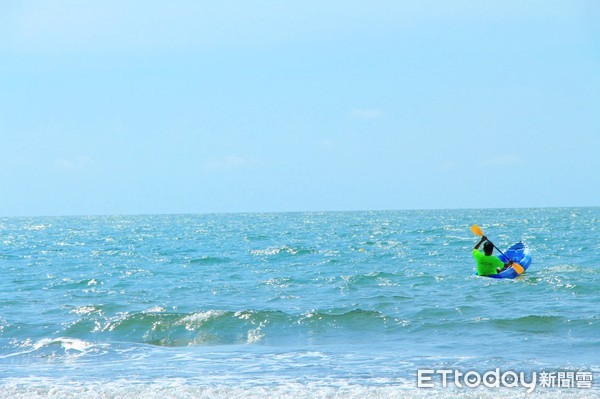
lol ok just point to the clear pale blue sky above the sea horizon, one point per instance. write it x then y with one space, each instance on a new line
144 107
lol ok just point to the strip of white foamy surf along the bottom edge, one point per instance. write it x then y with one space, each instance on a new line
32 388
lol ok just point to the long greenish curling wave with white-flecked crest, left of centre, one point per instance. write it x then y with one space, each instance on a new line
219 327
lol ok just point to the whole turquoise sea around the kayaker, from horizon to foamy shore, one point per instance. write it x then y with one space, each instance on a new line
291 304
